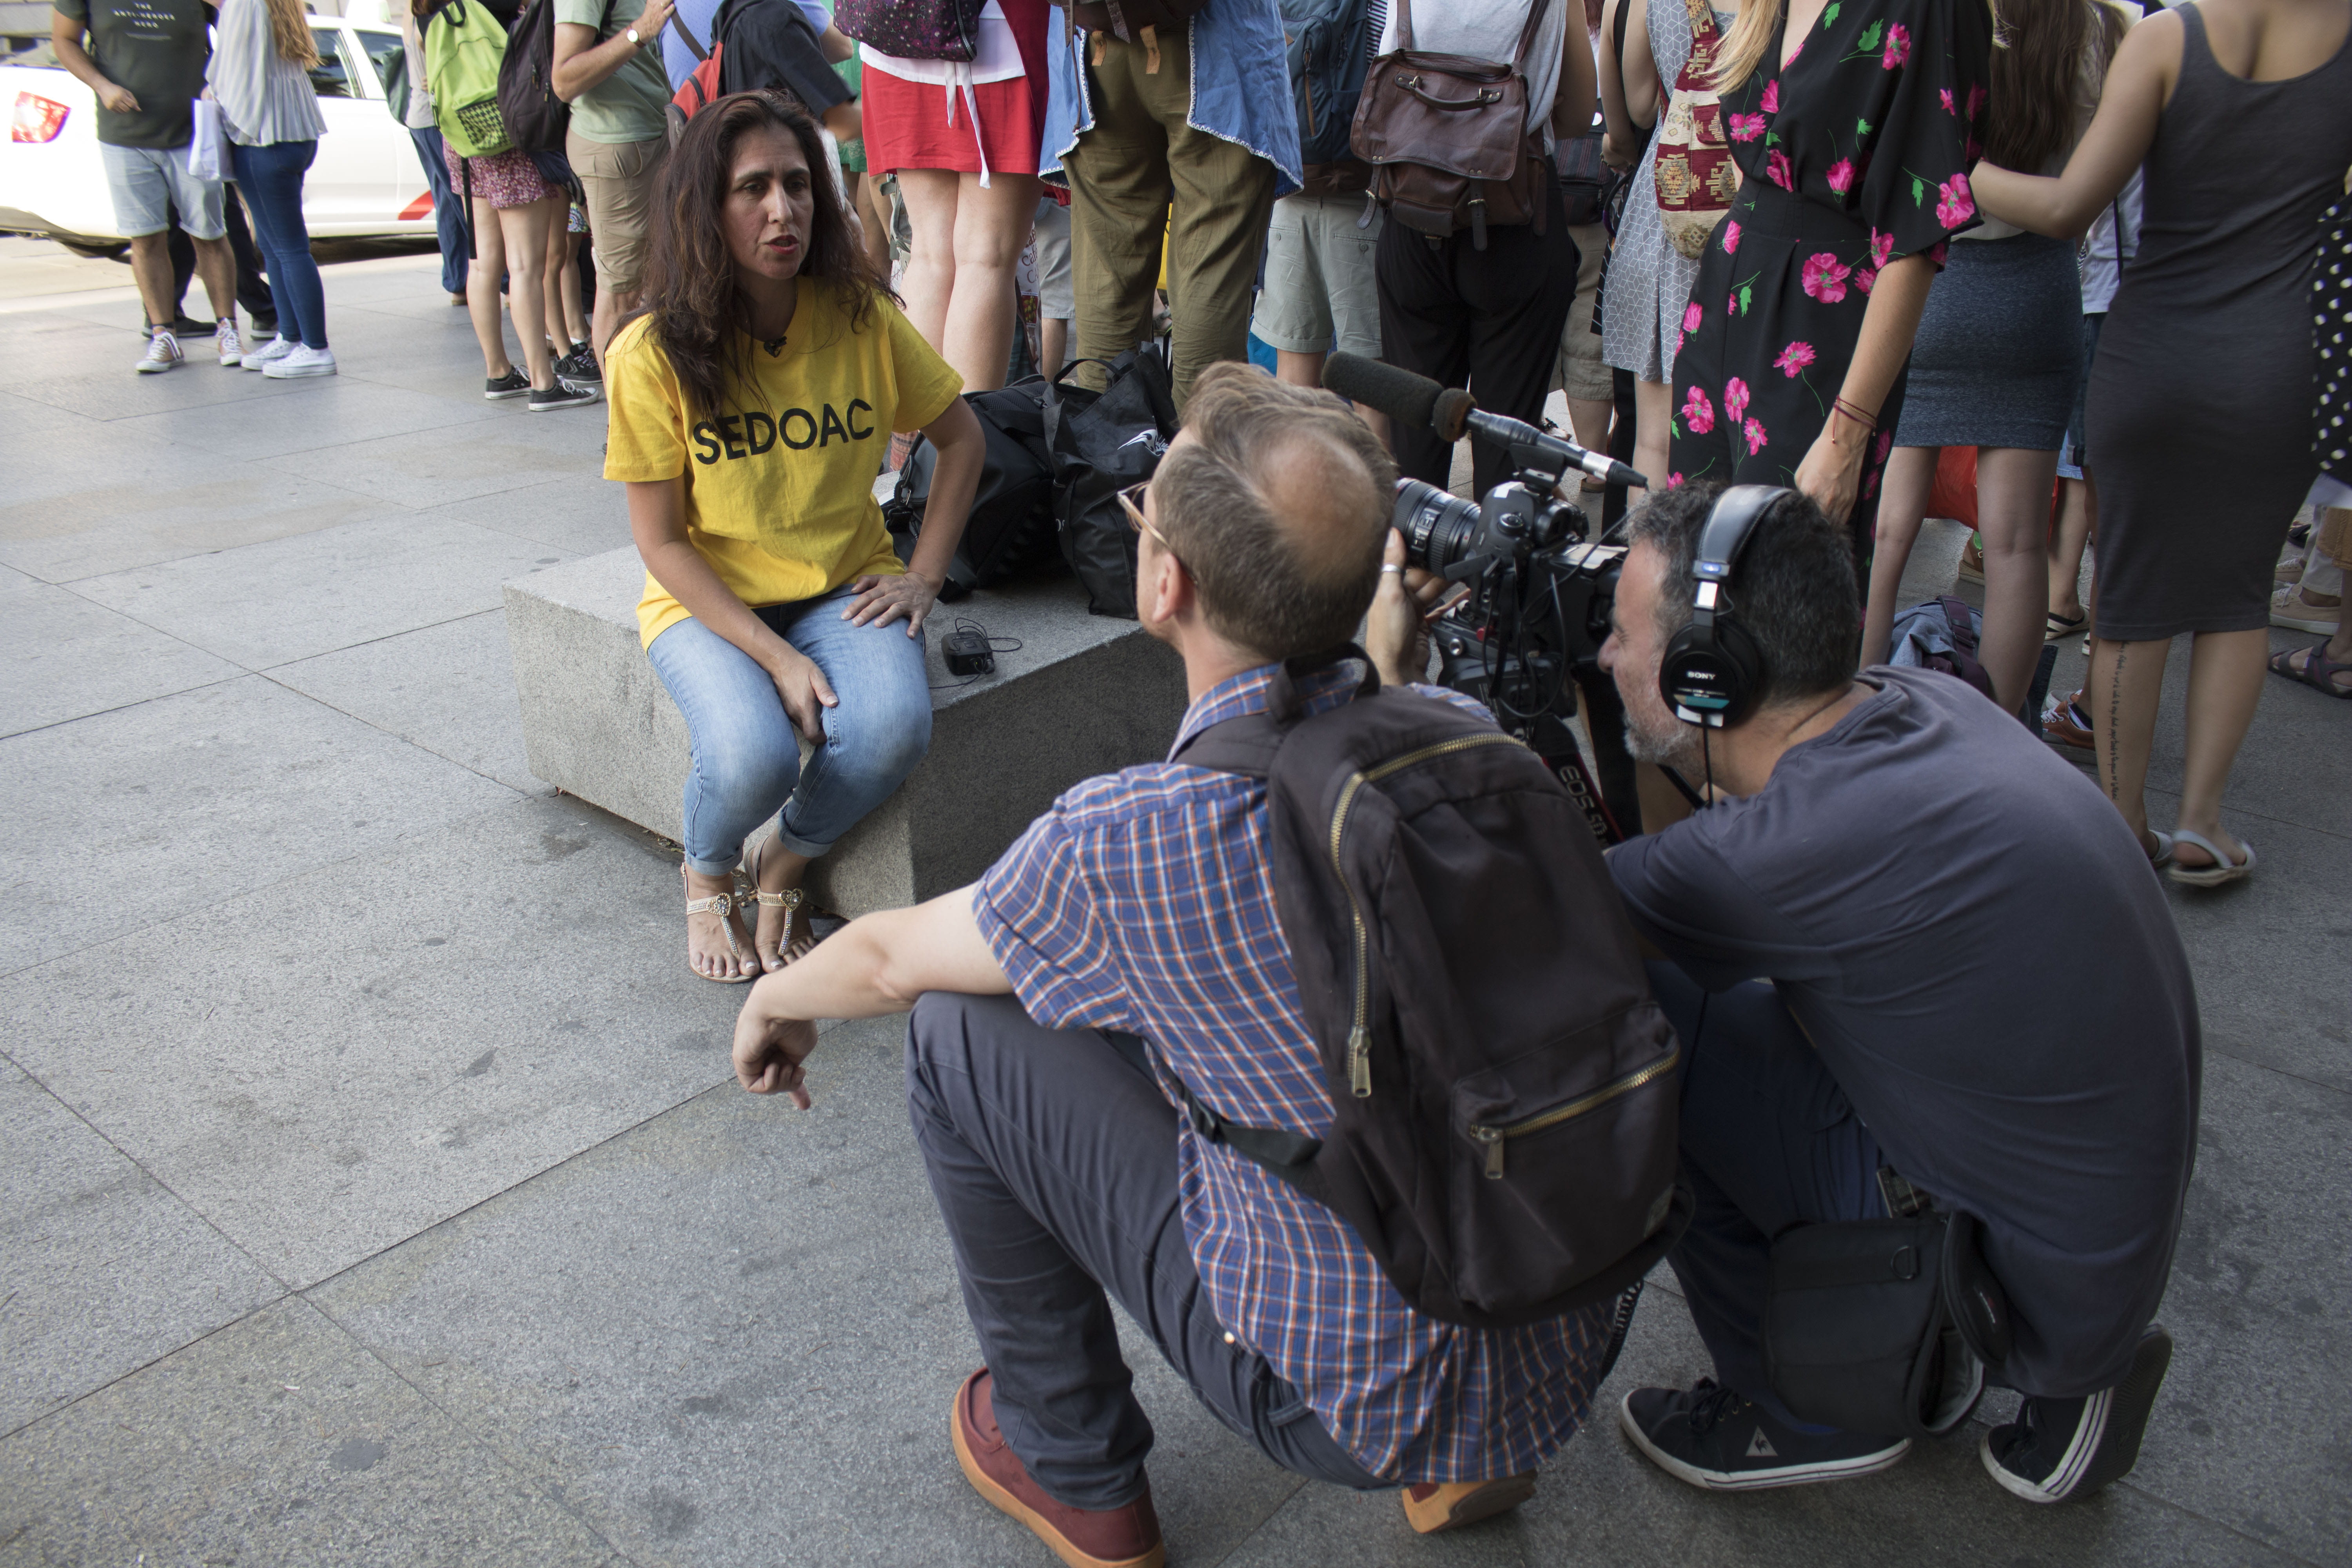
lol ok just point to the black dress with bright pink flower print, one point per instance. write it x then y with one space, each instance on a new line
1852 156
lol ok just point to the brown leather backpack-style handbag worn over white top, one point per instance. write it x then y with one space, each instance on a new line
1448 138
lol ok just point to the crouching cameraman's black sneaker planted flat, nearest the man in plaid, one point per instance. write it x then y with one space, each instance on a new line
1728 1445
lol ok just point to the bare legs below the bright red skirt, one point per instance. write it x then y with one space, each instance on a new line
961 276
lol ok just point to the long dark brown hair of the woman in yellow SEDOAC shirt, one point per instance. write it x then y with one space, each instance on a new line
690 279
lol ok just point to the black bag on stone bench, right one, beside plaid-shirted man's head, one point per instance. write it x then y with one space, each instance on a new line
1104 443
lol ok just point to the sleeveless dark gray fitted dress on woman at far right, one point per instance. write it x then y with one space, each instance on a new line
2200 413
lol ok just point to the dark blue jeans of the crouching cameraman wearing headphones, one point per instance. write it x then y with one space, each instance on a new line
1768 1141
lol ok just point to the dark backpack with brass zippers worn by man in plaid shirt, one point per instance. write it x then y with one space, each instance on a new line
1502 1080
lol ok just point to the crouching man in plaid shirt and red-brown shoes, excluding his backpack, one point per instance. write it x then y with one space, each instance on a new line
1137 911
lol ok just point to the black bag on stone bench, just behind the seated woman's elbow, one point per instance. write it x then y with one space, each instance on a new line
1013 511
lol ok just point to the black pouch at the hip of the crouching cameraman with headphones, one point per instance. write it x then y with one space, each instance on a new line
1883 1327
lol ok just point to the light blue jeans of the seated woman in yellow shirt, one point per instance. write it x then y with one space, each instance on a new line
747 756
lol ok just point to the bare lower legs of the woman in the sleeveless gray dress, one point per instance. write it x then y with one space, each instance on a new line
2127 681
